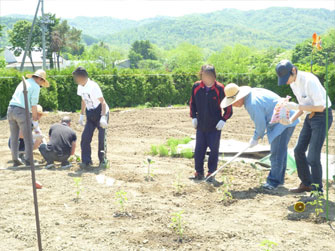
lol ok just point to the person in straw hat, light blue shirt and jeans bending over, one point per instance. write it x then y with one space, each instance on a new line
260 104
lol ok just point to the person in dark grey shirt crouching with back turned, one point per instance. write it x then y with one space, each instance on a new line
62 144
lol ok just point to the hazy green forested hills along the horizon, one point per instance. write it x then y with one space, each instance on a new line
276 27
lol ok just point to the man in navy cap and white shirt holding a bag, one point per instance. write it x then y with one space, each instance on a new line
312 98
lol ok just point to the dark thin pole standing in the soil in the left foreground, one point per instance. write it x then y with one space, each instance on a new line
32 166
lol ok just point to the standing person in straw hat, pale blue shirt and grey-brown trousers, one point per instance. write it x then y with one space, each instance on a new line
17 117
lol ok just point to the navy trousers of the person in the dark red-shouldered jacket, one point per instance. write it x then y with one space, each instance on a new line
204 140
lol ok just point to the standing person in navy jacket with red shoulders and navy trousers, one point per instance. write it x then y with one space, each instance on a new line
208 120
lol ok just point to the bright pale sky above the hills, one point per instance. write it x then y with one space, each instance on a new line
140 9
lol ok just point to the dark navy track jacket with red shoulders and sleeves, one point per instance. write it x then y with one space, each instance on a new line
205 106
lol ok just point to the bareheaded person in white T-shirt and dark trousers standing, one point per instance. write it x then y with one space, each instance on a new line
97 110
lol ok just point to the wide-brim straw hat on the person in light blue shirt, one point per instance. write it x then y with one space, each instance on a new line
234 93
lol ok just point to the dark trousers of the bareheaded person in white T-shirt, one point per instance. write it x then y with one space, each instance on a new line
92 123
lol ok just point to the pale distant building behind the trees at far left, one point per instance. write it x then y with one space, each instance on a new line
14 62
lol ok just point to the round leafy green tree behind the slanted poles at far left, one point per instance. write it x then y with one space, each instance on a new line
18 37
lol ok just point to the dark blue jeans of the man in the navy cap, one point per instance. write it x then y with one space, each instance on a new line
312 136
